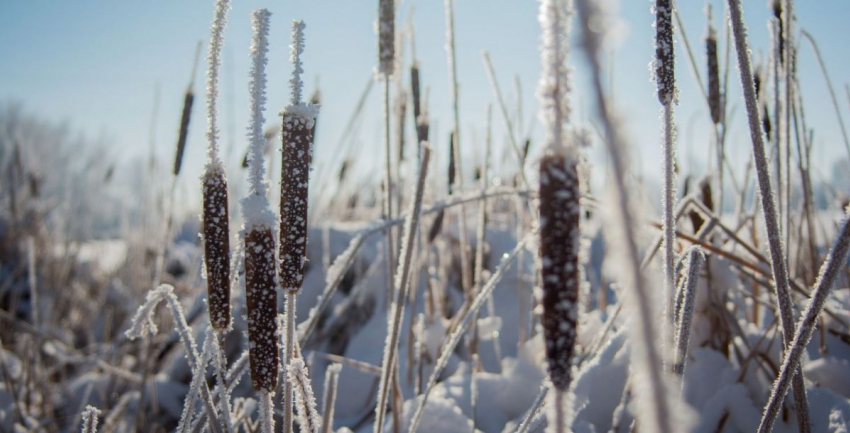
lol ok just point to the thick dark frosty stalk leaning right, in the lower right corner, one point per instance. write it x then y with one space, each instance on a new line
829 273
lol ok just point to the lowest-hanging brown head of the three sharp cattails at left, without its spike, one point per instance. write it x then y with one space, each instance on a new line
261 300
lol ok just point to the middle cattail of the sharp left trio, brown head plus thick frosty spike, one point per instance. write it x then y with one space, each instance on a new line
260 266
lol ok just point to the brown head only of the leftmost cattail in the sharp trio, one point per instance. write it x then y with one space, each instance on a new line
216 232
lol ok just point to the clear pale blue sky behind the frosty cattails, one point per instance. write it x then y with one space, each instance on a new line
96 65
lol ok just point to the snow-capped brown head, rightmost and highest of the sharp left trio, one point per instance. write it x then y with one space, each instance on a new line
297 141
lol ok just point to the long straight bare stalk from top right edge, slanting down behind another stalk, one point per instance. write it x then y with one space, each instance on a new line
768 205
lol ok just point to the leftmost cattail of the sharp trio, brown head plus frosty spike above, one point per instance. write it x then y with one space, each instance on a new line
216 225
